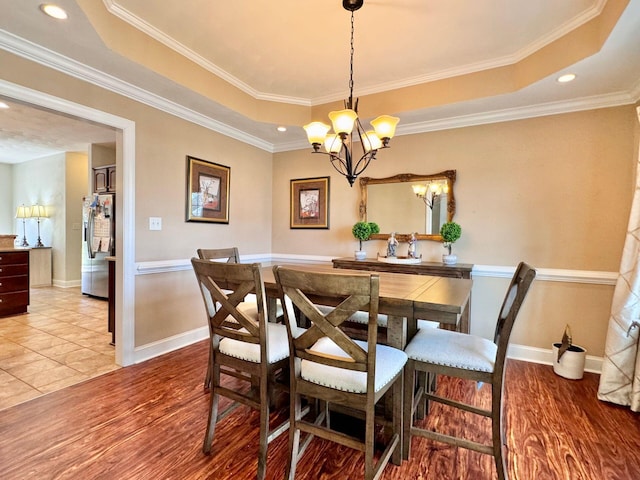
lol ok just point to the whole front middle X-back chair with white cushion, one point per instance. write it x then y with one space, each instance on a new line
329 366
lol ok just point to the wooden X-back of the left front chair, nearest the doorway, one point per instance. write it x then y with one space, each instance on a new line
223 287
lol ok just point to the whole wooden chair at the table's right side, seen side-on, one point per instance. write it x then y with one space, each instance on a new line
449 353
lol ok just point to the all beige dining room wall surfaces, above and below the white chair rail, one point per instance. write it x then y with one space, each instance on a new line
554 191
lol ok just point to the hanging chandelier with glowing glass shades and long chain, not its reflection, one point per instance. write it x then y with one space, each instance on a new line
348 130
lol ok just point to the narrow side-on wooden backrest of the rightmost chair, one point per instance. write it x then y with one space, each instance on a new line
516 293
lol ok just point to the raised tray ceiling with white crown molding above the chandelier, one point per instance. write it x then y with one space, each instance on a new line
242 68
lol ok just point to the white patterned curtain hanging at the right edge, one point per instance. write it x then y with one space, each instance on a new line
620 379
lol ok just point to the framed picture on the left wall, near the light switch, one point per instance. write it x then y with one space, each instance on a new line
207 191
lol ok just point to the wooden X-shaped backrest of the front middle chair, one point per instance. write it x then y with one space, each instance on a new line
350 293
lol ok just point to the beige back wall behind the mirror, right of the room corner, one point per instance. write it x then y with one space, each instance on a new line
553 191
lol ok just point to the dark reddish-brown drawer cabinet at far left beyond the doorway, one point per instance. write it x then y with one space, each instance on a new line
14 282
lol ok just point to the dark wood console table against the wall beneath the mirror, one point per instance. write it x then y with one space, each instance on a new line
459 270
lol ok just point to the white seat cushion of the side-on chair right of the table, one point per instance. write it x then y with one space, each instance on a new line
452 349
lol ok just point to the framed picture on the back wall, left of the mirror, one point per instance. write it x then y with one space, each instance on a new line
310 203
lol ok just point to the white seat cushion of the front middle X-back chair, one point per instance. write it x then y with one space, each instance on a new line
389 361
